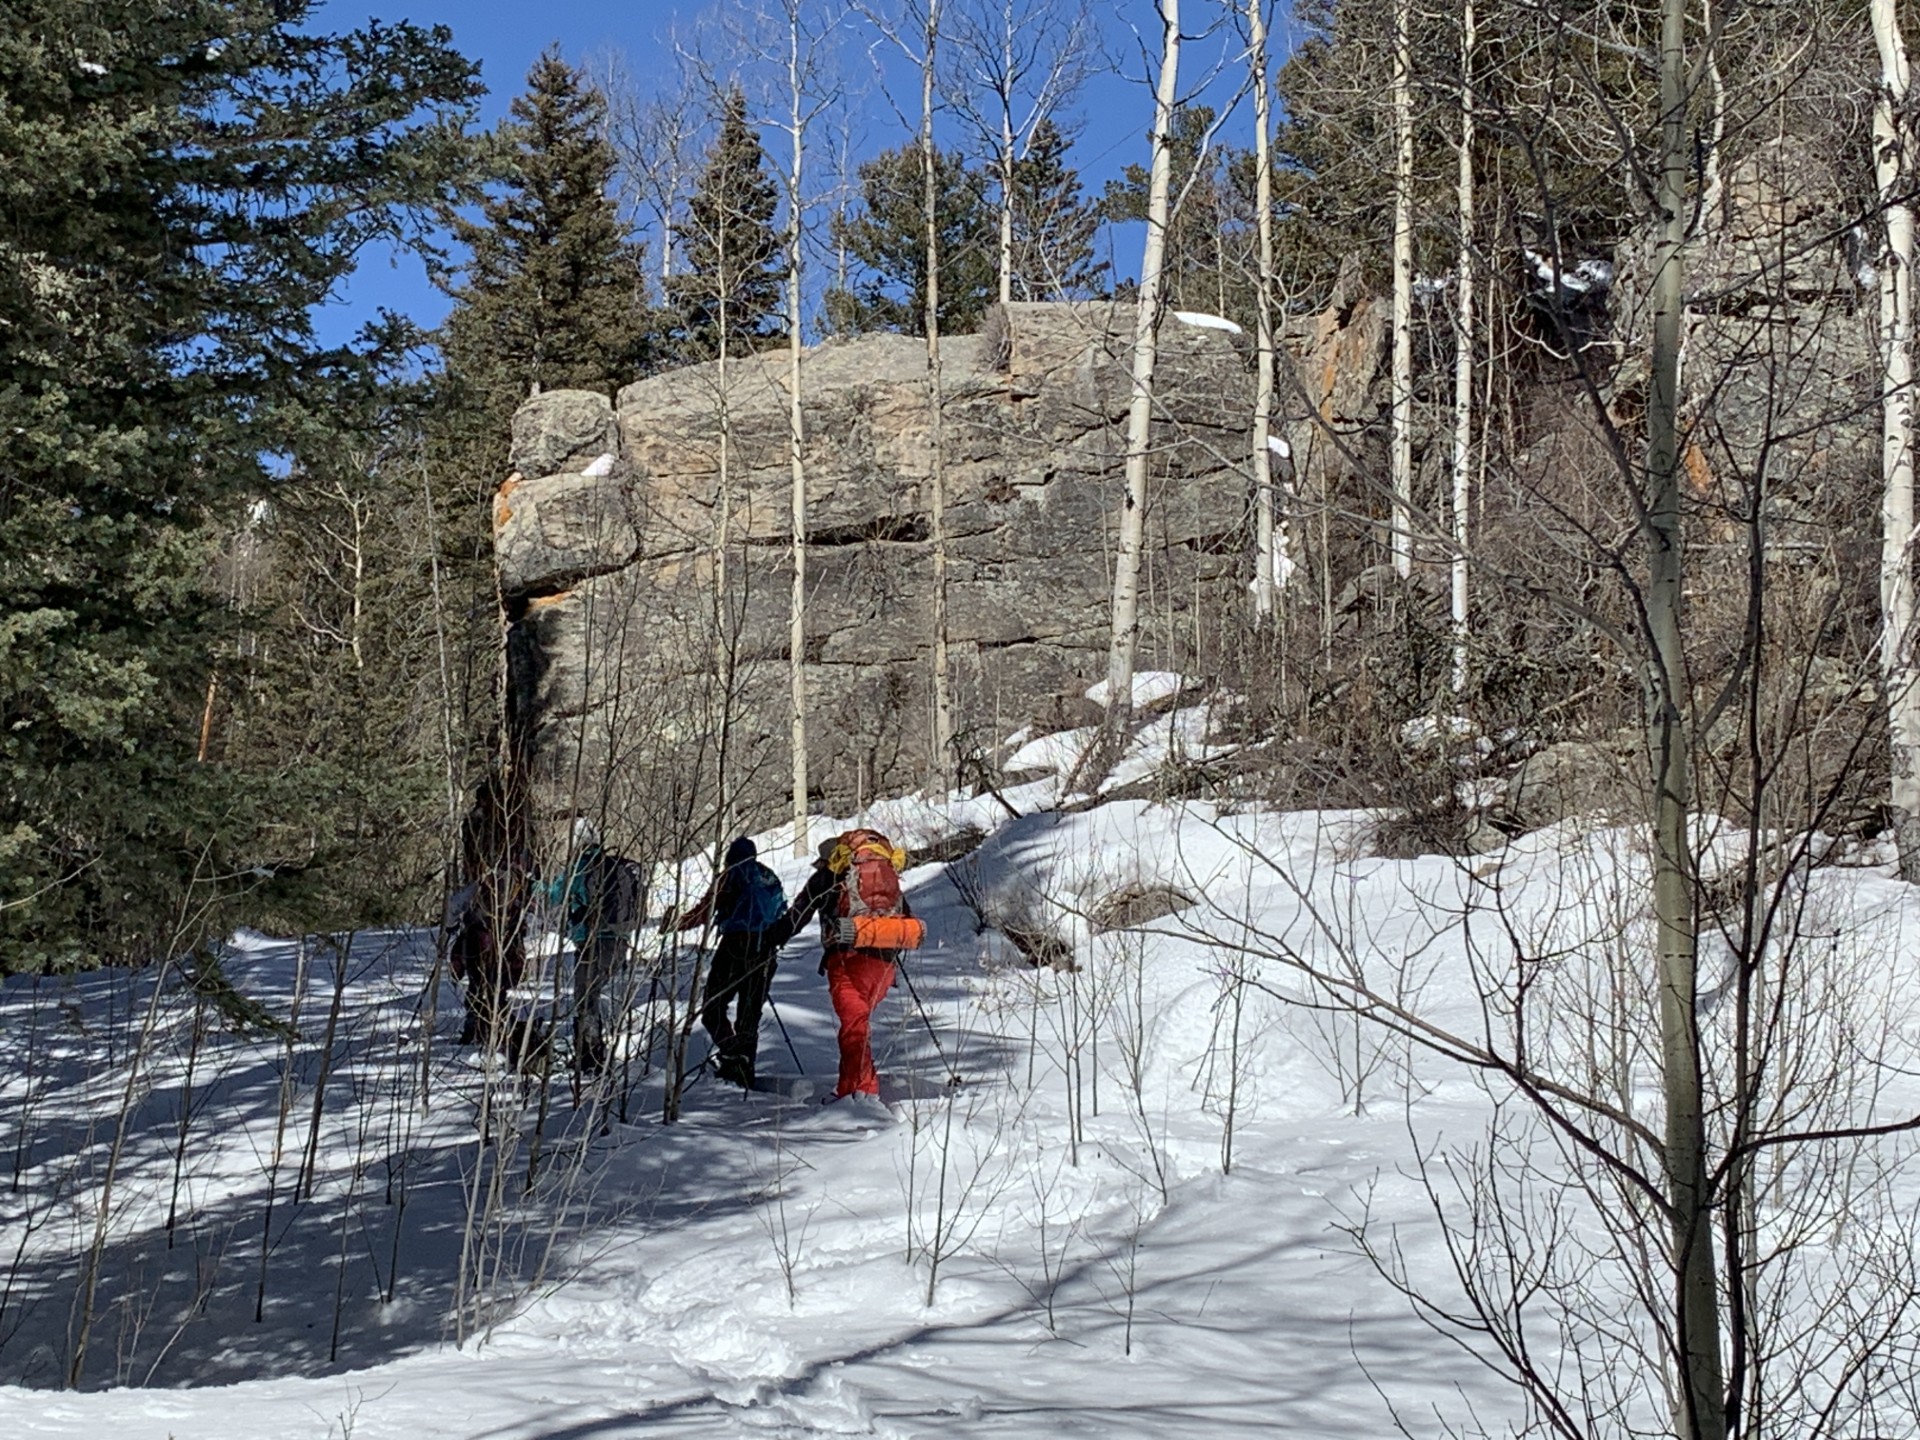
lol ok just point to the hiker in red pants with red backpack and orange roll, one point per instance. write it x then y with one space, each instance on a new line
855 875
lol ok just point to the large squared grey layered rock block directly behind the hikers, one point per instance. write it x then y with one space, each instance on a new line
646 550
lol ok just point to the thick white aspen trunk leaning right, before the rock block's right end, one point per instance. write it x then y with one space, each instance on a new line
1126 623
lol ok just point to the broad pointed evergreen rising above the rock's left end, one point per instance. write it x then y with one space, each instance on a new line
554 291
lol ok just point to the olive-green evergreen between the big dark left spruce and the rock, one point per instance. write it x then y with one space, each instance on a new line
333 686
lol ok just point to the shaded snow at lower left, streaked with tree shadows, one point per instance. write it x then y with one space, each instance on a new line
347 1251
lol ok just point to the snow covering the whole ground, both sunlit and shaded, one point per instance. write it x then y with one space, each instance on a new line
1140 1214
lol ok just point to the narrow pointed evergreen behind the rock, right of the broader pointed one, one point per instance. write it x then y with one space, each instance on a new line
734 262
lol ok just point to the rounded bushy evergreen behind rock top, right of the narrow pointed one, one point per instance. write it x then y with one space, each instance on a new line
888 237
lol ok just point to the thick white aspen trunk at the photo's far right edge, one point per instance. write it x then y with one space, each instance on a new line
1894 174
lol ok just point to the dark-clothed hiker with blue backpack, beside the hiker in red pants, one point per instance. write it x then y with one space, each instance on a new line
744 905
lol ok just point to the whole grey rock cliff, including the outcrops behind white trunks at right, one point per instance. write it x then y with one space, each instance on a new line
646 544
